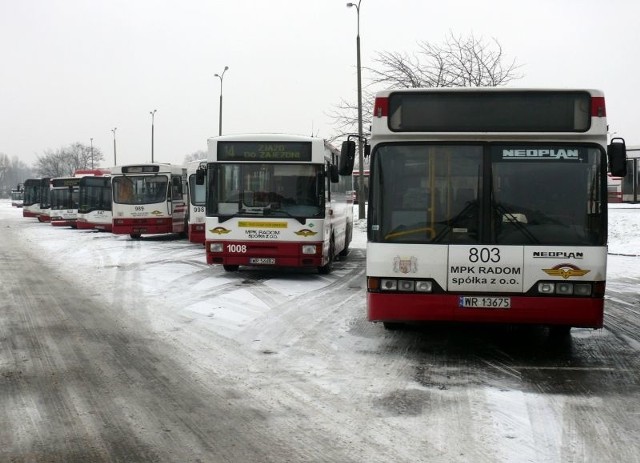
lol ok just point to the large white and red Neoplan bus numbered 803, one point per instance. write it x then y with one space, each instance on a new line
489 205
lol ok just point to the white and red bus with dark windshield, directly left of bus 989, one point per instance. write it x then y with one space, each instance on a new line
94 204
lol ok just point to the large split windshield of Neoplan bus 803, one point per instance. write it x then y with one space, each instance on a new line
488 194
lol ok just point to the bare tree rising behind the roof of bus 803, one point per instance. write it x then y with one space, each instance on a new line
457 62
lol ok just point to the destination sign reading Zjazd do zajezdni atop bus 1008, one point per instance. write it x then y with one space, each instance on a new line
264 151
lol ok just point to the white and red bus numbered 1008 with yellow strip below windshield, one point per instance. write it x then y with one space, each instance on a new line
276 201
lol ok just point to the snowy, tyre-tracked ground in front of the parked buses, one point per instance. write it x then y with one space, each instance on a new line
121 350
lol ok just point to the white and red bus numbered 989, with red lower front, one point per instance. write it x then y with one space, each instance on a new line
149 199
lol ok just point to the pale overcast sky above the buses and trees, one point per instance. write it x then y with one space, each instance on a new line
72 70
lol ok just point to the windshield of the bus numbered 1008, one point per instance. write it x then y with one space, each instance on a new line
283 190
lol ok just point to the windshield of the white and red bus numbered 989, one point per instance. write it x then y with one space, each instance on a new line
140 189
